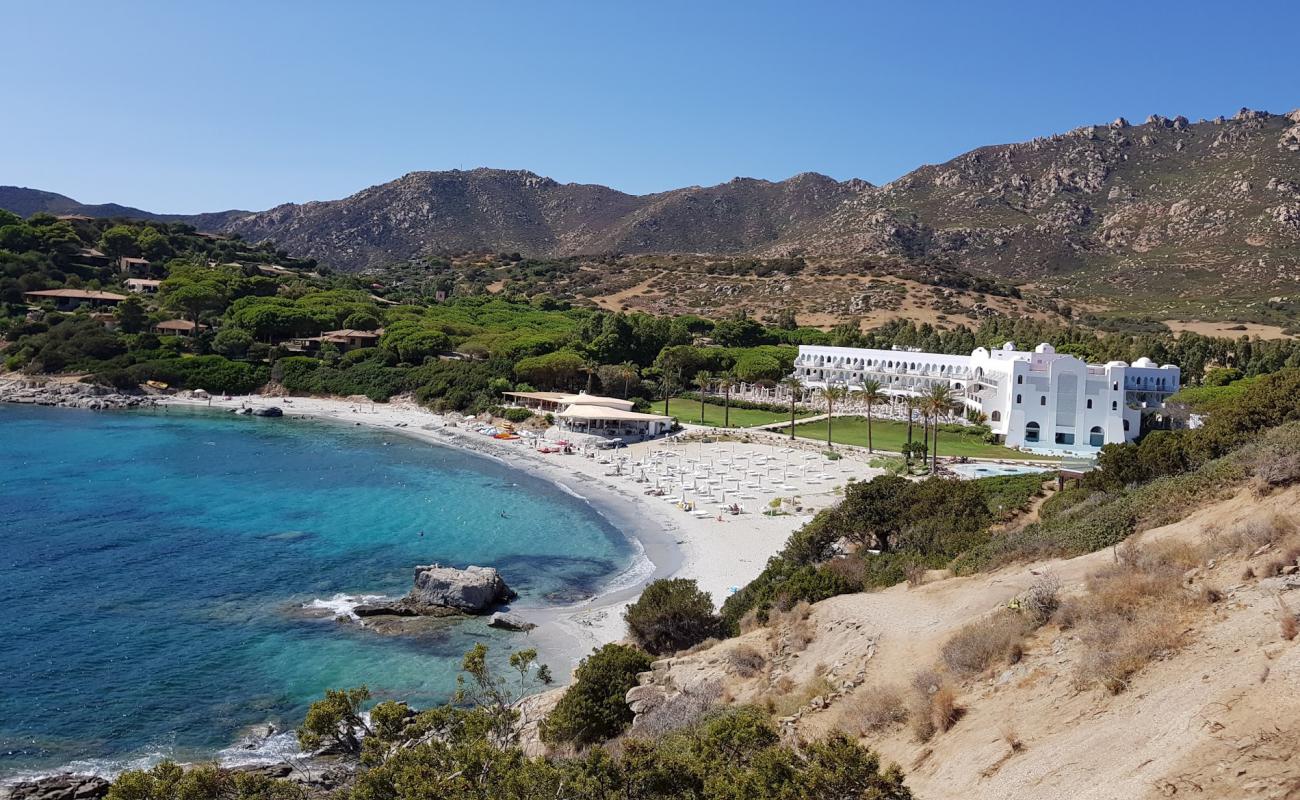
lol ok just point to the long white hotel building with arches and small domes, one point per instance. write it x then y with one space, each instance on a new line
1039 401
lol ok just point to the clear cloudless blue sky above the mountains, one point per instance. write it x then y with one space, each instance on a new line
188 107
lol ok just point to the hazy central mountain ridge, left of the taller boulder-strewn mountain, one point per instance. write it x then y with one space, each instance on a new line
430 213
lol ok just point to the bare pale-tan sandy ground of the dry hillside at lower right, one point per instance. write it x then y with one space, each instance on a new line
1219 719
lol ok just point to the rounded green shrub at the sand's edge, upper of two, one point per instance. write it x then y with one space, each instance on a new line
671 615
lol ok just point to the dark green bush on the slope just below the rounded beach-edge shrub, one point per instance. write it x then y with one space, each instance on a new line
593 708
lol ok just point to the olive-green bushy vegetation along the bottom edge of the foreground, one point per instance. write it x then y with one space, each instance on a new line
470 751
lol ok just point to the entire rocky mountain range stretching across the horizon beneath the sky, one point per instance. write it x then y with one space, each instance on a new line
1100 210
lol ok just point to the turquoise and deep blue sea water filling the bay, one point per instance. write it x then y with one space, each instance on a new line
153 570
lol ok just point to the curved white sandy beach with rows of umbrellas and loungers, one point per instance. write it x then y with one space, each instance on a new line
720 551
